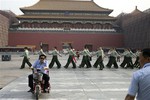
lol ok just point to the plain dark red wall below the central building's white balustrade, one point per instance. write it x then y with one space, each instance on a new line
55 39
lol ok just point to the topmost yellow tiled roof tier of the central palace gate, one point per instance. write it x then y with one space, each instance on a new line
73 5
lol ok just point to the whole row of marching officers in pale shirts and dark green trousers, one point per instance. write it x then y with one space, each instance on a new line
112 54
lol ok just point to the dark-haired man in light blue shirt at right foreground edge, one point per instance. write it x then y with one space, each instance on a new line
140 83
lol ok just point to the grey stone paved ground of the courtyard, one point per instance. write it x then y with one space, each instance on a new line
66 84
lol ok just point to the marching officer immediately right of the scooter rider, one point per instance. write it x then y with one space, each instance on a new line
55 58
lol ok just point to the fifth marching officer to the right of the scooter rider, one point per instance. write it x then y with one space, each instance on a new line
112 58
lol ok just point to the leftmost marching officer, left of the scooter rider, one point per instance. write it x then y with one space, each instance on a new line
25 58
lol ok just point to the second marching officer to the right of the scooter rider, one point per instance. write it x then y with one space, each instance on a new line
72 54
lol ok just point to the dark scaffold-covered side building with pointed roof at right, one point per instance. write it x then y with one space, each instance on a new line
136 28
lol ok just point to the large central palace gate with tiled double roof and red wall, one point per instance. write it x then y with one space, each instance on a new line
65 22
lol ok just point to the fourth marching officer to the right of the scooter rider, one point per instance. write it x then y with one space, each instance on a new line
99 61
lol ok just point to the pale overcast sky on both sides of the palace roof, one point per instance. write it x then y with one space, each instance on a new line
118 6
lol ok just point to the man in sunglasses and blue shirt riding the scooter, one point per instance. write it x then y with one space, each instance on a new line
42 65
